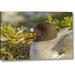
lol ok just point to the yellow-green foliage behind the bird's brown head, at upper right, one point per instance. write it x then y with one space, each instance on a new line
63 21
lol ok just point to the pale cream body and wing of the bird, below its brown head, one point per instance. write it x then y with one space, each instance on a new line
51 49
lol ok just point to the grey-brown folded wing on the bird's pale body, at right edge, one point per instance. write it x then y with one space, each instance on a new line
65 45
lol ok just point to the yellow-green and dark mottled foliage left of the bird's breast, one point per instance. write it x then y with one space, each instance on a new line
12 48
